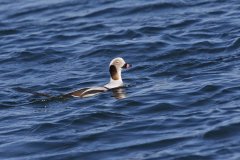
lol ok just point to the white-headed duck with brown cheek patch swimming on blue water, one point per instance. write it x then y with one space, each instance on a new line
115 69
